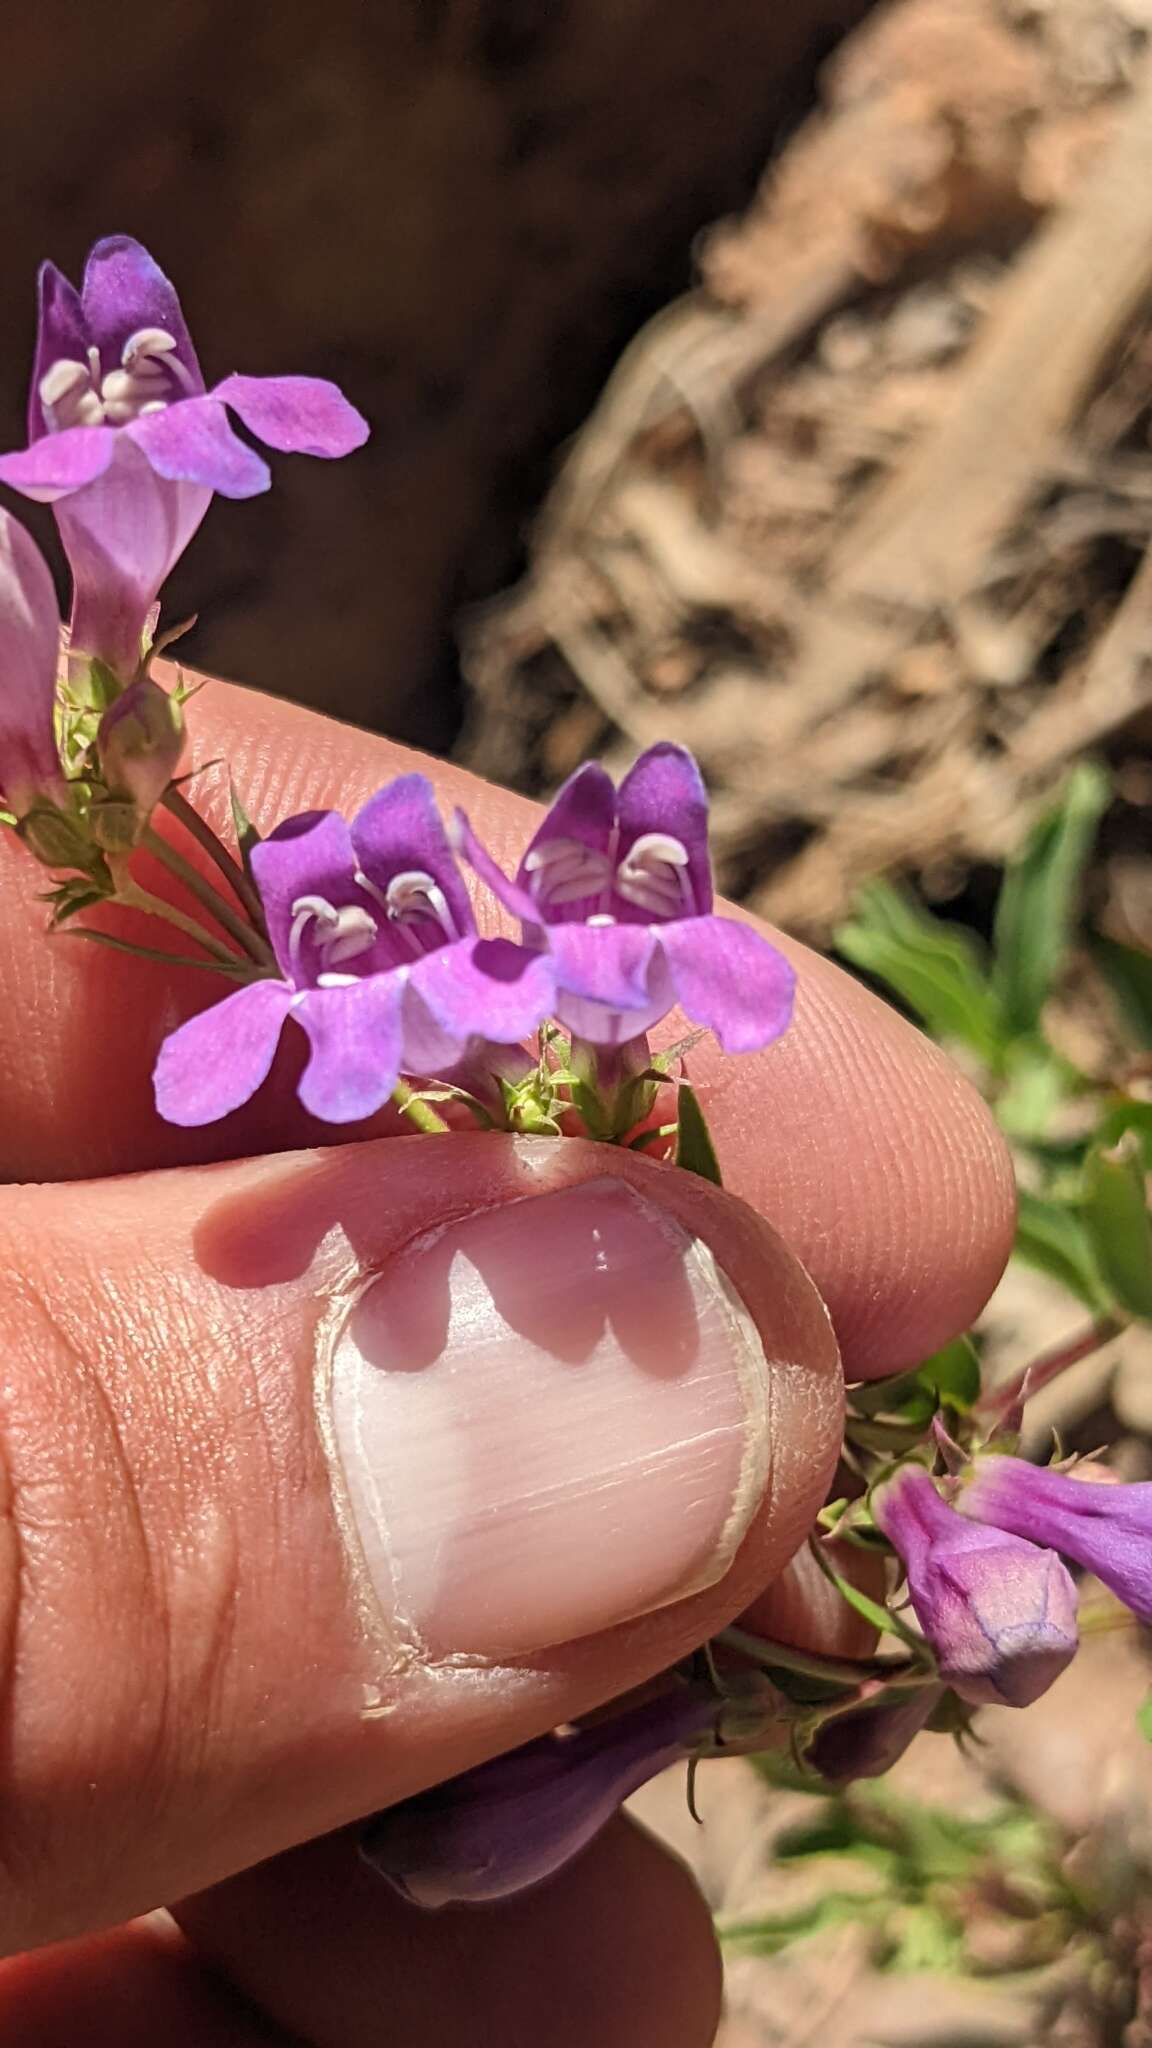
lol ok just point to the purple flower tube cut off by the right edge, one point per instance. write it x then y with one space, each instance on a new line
1098 1523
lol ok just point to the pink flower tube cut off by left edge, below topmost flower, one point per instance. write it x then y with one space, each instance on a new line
30 656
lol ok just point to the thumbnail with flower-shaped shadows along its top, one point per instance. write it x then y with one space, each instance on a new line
548 1418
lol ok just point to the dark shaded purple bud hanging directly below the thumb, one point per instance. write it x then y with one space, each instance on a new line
518 1820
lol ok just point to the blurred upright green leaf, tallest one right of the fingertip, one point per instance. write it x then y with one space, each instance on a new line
1040 896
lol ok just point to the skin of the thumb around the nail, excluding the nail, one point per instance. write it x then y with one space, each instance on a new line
196 1676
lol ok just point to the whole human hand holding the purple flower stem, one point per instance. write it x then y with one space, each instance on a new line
206 1672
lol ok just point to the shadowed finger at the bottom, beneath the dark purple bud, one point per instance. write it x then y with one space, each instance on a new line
616 1951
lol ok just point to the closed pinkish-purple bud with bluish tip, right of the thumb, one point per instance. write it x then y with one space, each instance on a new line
999 1613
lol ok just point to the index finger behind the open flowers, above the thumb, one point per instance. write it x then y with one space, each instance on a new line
854 1136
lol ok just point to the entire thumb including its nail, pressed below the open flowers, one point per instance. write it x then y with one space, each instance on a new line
331 1474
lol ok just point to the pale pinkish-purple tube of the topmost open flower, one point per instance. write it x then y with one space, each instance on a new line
122 536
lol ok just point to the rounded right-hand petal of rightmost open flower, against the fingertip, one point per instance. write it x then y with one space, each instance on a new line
729 980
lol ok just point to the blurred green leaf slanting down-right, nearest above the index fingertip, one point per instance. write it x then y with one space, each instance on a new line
932 966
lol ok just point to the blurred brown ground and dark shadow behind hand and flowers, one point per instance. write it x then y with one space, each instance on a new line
774 378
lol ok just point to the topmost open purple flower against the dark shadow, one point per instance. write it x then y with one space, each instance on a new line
130 445
